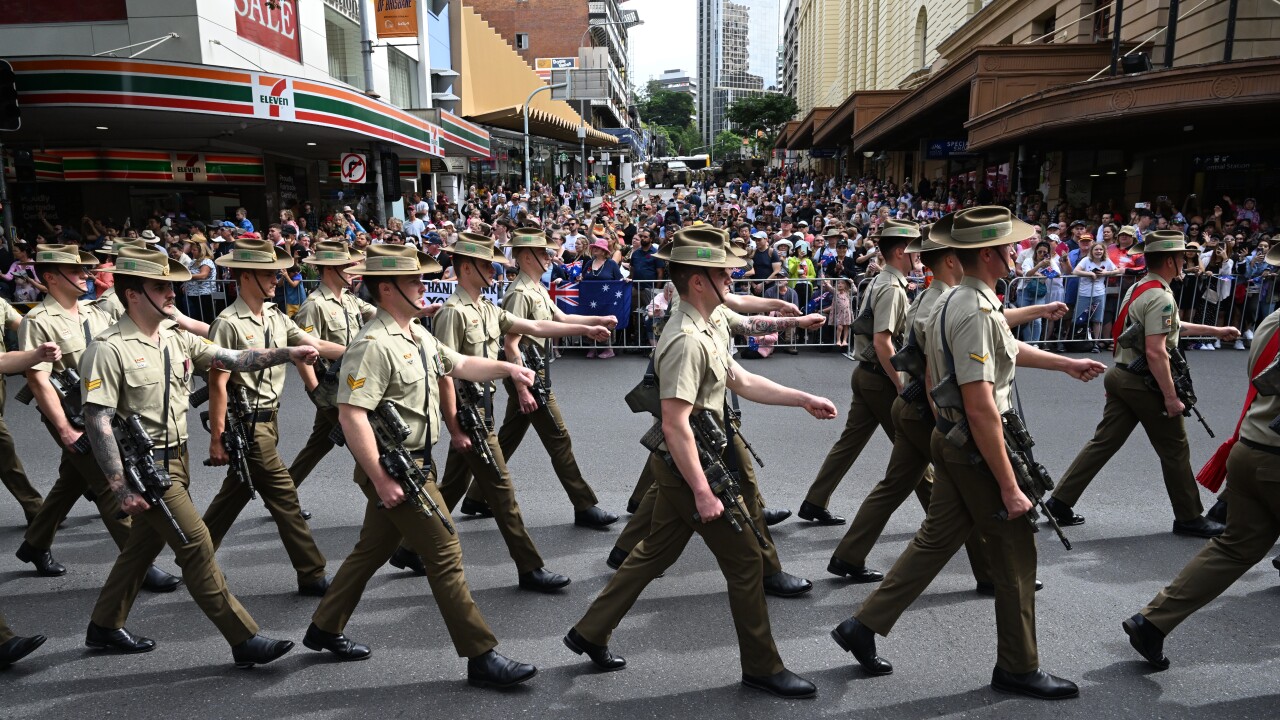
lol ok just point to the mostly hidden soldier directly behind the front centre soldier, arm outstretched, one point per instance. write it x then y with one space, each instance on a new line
726 323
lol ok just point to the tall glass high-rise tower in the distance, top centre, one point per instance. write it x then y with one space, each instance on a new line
738 56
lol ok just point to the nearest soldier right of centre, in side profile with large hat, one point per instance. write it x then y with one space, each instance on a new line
970 343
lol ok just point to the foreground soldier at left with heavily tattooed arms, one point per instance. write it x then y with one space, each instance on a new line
144 366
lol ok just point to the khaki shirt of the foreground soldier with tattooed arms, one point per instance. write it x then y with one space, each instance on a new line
125 370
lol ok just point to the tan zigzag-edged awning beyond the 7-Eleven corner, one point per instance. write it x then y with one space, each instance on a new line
496 83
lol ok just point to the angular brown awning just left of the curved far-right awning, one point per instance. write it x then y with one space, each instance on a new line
985 79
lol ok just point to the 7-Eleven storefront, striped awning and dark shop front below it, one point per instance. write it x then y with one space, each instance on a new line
115 138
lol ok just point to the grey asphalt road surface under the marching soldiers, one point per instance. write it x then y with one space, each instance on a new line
679 640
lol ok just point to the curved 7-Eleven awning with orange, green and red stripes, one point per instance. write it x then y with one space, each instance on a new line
76 102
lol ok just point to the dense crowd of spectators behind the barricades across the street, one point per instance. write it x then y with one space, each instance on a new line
810 240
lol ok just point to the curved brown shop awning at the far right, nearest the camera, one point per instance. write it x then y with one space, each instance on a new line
1160 108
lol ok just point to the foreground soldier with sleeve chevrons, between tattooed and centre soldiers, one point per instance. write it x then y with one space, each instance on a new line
395 359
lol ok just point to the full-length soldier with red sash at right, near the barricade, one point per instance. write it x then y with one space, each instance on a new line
1131 403
